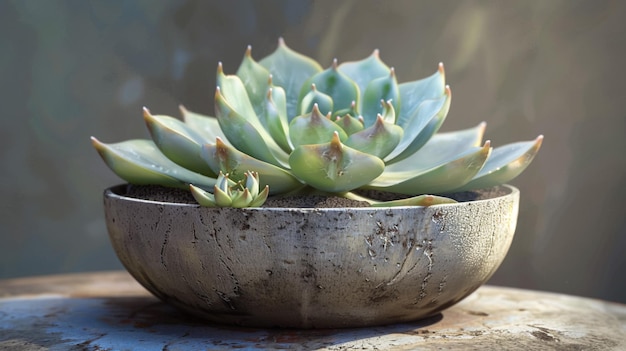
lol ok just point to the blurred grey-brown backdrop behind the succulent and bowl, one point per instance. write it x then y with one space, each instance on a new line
73 69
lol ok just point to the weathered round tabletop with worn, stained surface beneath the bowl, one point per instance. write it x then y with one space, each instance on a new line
110 311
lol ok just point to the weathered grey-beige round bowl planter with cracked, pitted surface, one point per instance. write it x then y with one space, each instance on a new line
312 268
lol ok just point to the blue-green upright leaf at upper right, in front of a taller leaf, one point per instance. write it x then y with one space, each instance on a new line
426 121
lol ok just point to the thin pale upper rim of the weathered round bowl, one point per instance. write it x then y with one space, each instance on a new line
116 193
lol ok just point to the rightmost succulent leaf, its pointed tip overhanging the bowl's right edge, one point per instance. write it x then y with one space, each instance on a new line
505 163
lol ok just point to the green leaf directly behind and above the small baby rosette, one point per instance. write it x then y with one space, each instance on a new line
221 157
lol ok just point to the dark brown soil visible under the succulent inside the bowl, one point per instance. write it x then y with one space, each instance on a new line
164 194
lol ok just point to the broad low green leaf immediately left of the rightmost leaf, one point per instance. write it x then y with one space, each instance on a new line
439 179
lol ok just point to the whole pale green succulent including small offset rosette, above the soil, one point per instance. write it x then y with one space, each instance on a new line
305 129
